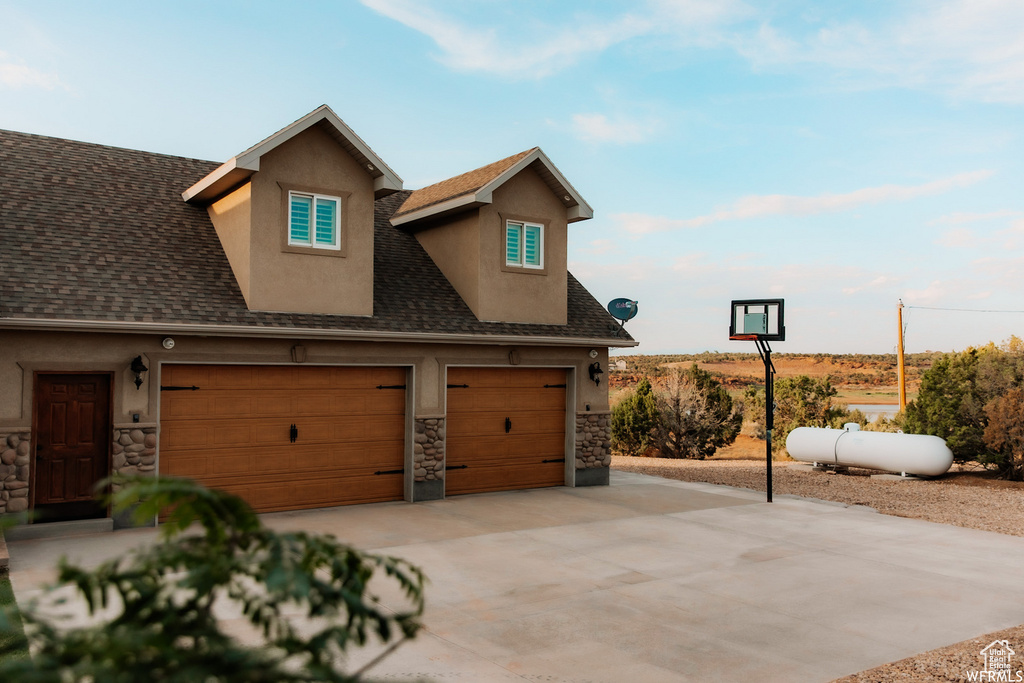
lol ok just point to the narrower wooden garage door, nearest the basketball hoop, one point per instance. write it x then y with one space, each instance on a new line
505 430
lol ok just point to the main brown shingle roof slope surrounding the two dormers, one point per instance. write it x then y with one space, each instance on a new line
97 234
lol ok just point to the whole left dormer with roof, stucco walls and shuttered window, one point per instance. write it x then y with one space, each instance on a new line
295 216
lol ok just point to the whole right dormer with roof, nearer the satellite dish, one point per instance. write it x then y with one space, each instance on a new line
500 236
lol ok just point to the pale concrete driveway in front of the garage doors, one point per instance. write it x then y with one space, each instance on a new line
652 580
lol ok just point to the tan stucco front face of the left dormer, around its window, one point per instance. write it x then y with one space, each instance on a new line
312 281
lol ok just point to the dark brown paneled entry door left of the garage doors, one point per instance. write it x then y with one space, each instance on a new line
73 445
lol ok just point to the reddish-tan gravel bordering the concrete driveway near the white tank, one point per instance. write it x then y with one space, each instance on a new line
962 498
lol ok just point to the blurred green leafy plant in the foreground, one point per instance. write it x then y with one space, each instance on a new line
306 597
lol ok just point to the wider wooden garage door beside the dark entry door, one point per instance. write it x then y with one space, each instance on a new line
234 433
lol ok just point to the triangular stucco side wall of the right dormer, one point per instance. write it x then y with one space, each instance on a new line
455 248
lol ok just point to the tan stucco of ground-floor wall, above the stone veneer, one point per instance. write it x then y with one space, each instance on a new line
27 353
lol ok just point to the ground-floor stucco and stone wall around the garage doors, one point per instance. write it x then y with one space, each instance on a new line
136 412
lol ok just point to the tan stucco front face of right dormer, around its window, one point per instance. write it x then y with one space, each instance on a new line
524 295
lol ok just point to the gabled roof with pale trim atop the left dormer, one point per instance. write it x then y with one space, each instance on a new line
240 168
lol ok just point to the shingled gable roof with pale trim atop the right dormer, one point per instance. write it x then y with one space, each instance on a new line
477 189
